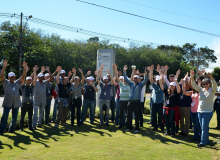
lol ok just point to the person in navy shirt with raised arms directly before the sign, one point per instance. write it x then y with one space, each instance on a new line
105 96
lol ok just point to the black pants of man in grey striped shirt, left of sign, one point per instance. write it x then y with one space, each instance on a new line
75 103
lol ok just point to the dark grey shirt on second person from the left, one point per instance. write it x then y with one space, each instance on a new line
27 93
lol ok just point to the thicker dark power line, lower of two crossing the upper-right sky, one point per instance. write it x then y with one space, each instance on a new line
195 30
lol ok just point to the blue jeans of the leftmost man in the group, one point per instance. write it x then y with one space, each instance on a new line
4 119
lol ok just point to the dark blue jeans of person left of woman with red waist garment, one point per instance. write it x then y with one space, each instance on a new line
157 108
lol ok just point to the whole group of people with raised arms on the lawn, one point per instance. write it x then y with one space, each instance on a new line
174 102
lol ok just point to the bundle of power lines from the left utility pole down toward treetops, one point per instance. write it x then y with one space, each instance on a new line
80 30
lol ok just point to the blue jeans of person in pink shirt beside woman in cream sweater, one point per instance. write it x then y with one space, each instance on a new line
197 128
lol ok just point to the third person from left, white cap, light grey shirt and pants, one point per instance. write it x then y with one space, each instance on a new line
40 100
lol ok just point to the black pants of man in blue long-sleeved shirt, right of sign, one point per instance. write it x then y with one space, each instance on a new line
133 106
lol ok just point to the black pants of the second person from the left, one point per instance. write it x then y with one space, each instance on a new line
26 108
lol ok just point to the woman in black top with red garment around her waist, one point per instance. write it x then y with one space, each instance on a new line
171 108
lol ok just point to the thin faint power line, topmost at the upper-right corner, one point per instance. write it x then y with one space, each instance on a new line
170 11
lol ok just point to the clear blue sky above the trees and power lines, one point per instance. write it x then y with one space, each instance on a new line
77 14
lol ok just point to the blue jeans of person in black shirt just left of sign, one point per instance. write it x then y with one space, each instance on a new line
86 104
